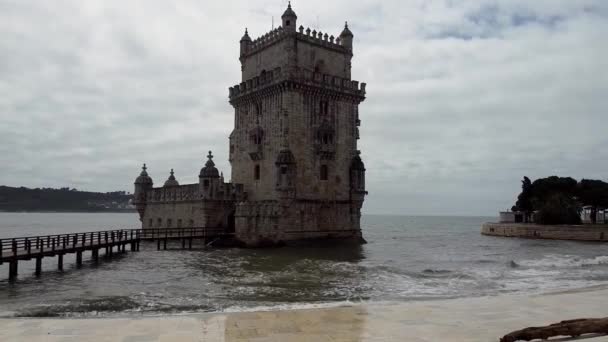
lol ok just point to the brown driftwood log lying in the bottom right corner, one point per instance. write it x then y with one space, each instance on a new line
572 328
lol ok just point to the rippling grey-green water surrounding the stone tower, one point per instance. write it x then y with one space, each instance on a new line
406 258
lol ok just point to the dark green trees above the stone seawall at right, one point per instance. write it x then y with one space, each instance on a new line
560 200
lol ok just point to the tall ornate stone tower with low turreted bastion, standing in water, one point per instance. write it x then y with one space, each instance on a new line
297 174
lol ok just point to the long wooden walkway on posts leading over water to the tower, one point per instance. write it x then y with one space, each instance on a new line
37 247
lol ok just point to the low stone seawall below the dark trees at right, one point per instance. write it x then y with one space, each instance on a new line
535 231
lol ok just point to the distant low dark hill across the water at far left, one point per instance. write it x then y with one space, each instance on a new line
64 199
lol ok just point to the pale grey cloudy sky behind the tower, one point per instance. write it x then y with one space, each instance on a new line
464 97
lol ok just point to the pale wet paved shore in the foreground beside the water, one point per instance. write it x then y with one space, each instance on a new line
461 319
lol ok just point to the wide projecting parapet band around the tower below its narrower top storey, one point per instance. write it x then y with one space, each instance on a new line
303 77
